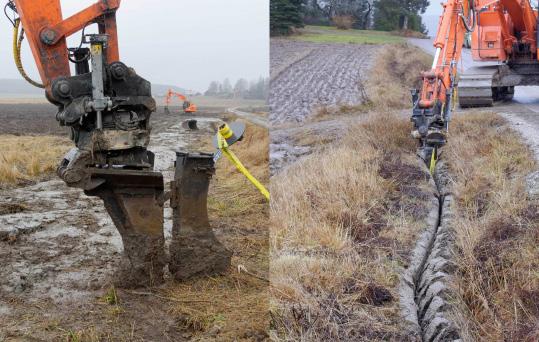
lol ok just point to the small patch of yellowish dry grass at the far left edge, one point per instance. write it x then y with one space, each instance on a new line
29 158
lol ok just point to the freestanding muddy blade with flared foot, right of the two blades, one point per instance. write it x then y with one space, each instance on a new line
194 249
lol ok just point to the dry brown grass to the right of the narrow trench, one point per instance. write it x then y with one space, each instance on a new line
496 231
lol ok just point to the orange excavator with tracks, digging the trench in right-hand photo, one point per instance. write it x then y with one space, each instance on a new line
504 32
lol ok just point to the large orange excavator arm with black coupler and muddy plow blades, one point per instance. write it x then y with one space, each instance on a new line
107 108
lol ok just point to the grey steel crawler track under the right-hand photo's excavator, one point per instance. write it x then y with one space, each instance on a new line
476 87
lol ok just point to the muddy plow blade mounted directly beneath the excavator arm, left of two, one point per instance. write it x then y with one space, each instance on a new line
133 200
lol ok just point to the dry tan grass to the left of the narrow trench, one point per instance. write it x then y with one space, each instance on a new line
342 226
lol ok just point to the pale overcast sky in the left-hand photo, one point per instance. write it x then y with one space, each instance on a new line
187 43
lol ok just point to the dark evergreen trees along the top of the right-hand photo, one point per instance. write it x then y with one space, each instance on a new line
384 15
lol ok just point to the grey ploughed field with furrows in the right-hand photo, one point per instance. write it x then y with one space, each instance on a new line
307 78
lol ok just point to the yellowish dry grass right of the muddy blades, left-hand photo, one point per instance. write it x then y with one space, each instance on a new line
233 307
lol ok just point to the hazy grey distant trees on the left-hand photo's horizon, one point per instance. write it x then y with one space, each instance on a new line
242 89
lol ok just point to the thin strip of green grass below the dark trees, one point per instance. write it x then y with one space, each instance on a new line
328 34
